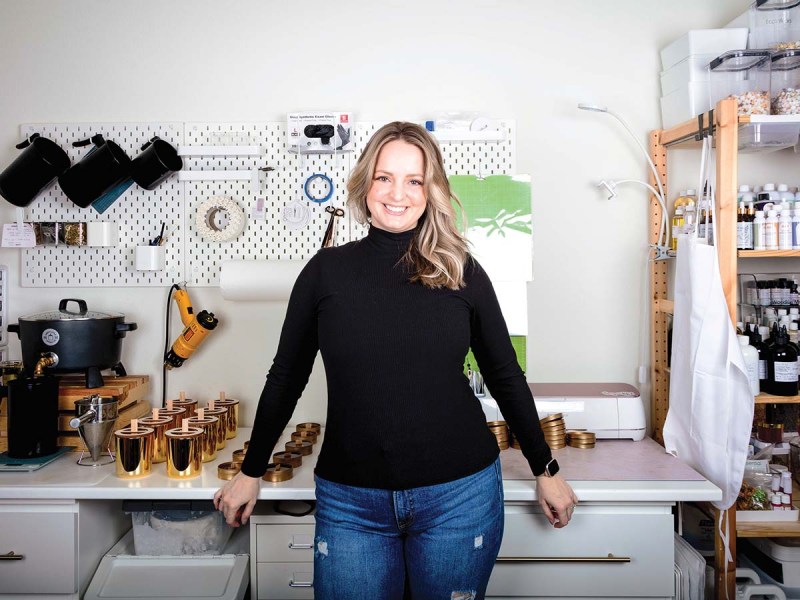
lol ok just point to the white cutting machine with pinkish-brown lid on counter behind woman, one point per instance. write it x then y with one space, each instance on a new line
610 410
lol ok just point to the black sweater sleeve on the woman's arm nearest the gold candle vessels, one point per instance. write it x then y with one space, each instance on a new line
290 370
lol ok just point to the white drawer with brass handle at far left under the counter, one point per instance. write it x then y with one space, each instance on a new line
48 543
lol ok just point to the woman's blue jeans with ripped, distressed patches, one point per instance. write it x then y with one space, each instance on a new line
439 541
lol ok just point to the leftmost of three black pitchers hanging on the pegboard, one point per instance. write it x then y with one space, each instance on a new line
33 171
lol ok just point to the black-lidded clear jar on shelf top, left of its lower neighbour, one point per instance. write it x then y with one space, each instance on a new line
745 76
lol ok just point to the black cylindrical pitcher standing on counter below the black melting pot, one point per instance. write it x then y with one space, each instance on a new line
32 416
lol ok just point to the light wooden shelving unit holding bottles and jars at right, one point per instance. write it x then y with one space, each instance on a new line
726 125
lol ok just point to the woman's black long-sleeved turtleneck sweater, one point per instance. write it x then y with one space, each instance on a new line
401 413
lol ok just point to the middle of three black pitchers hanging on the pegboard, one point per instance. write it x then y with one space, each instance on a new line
102 168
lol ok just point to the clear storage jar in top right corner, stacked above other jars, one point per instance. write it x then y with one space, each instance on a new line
775 24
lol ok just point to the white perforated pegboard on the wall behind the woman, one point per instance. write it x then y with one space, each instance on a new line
190 258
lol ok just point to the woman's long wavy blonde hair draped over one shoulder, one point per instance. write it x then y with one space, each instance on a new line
438 252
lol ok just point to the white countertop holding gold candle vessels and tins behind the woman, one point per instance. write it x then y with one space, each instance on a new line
64 479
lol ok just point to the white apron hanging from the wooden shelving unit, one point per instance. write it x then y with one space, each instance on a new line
711 407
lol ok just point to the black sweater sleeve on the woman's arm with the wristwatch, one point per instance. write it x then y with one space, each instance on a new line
498 364
